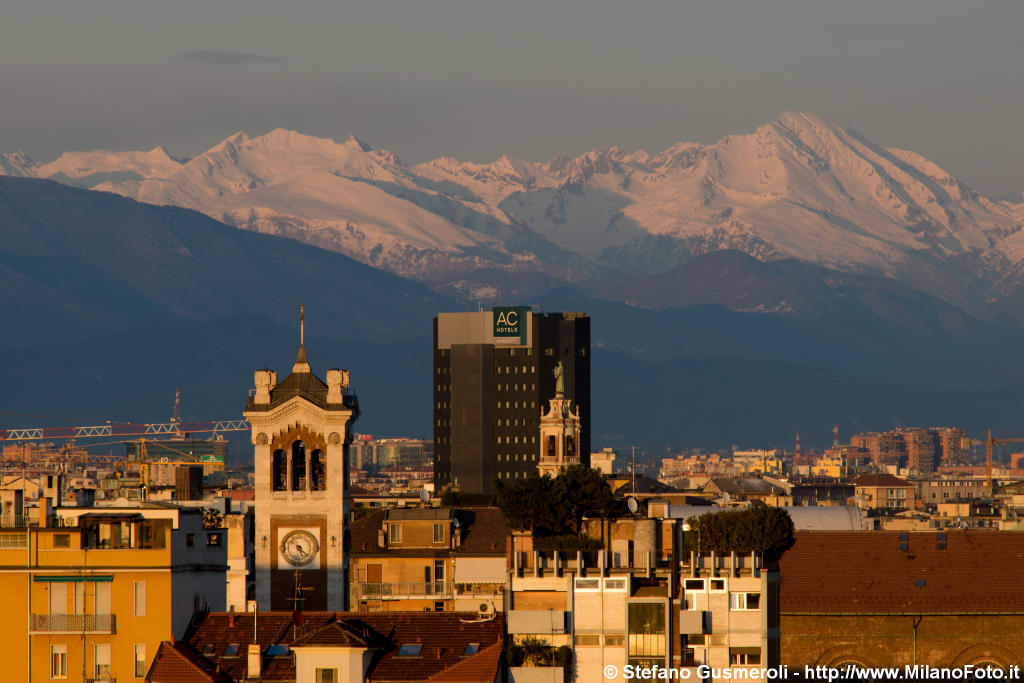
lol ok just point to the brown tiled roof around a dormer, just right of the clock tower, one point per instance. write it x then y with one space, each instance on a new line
484 533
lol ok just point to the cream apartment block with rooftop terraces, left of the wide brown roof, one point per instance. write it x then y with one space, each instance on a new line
644 603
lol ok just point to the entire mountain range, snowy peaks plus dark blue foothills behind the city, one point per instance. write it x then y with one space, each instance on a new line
739 292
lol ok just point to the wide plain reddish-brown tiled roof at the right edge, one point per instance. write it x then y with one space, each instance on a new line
868 573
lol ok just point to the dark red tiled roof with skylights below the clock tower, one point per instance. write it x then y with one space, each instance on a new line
443 636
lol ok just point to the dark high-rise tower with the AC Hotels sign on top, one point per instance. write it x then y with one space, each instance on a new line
494 373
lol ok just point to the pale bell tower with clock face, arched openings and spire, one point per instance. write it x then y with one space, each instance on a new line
302 430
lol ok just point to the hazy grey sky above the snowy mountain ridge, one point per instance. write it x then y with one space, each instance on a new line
477 80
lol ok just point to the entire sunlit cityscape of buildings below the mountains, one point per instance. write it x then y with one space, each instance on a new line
340 558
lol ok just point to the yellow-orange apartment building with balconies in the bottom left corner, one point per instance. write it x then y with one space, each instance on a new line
92 595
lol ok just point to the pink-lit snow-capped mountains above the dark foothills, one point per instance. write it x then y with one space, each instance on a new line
801 187
